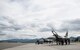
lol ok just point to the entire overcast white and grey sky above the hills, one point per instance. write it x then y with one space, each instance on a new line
34 18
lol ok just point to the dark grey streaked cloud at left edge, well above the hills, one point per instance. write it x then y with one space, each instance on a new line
6 23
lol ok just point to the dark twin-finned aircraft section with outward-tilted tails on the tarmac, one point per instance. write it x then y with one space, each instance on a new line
60 40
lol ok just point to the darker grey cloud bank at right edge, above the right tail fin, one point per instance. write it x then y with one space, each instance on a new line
72 25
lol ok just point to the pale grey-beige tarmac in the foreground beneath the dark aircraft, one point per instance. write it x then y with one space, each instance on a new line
32 46
